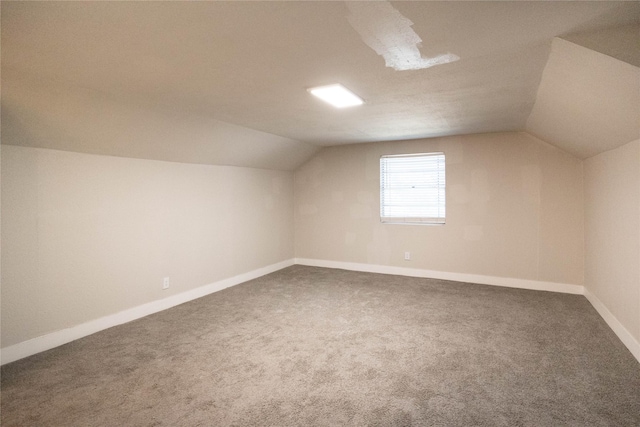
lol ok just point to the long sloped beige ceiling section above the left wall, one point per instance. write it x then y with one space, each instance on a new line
45 114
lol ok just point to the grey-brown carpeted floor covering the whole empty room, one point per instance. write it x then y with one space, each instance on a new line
310 346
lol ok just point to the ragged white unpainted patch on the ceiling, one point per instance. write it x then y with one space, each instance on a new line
385 30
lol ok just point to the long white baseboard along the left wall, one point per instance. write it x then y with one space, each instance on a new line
58 338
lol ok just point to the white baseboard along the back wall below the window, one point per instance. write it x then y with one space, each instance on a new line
508 282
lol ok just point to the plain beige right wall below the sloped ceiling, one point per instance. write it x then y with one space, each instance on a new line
612 229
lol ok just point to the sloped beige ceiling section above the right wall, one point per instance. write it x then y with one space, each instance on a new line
587 102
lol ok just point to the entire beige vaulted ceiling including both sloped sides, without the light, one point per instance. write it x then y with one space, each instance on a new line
225 82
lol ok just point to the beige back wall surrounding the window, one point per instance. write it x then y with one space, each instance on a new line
514 209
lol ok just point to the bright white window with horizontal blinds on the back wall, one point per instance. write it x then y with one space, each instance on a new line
412 189
